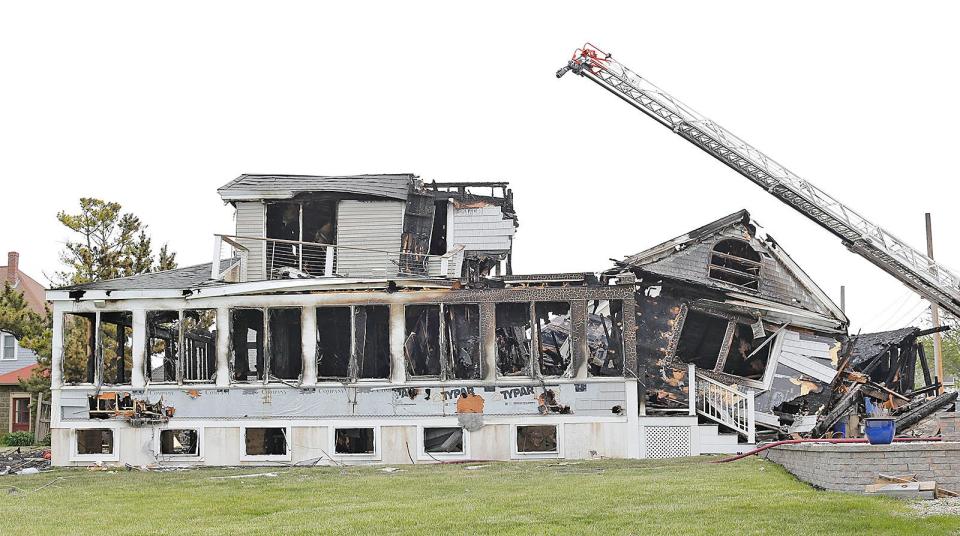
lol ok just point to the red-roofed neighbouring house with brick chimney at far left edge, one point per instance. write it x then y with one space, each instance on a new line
17 363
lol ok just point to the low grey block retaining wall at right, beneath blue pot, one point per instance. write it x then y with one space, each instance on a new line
851 467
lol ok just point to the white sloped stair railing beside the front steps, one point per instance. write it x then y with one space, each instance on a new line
724 404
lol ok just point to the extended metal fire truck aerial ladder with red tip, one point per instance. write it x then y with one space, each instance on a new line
914 269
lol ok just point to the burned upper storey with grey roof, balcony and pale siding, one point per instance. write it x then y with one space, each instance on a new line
364 226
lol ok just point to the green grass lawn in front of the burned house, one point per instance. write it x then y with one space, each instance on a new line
686 496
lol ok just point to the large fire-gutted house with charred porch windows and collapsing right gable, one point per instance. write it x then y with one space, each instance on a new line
377 319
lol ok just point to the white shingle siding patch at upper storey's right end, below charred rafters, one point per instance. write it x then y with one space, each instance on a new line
479 229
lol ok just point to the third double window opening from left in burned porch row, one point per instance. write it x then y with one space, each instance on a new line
265 344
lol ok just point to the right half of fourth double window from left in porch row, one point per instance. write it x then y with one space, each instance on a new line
372 341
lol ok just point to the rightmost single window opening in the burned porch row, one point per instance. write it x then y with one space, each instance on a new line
605 338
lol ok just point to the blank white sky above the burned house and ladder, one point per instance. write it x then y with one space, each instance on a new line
157 105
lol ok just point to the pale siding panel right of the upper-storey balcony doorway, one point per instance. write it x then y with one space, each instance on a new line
370 225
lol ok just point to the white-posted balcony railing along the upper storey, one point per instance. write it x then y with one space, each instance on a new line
293 259
